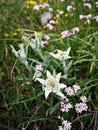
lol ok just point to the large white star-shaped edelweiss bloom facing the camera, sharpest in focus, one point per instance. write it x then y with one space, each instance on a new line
51 84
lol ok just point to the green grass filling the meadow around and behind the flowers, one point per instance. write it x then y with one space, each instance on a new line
26 106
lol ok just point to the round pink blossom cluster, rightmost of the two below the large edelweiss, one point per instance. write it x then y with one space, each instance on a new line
81 107
